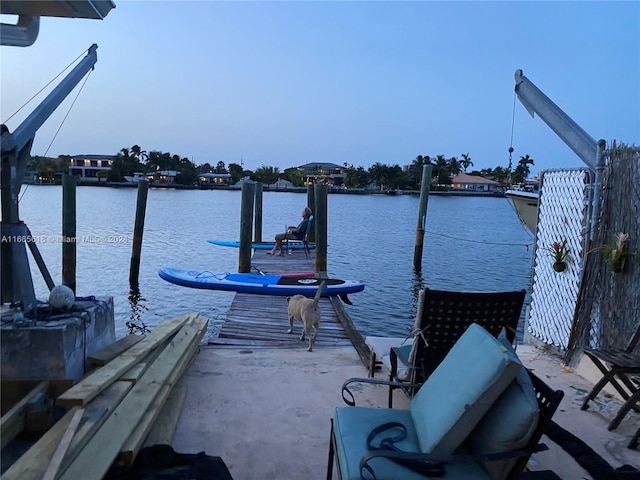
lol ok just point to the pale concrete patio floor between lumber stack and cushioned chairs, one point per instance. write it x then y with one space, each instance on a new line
267 412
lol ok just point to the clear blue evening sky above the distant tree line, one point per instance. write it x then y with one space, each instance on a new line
286 83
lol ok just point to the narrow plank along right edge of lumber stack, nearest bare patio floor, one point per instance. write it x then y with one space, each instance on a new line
135 441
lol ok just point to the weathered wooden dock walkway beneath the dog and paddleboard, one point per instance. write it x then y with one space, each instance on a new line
261 321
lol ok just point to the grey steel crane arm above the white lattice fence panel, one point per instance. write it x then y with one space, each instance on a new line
569 131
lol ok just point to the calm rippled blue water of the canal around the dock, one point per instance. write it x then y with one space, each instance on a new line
471 243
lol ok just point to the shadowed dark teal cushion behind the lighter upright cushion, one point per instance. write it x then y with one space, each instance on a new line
509 424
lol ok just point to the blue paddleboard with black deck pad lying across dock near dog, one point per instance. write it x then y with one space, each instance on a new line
260 284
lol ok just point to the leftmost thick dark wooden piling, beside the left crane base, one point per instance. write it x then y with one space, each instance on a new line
69 183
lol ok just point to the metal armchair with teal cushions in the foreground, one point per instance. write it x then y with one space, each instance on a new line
446 418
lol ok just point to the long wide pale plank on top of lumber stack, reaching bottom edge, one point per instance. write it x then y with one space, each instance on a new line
99 453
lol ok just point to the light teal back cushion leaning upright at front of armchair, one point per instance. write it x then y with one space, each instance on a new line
462 389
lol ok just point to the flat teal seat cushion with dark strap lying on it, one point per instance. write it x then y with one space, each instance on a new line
352 426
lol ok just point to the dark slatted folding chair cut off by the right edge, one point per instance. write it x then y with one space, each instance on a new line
618 367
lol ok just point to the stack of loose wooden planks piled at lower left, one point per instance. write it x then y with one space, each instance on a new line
112 410
